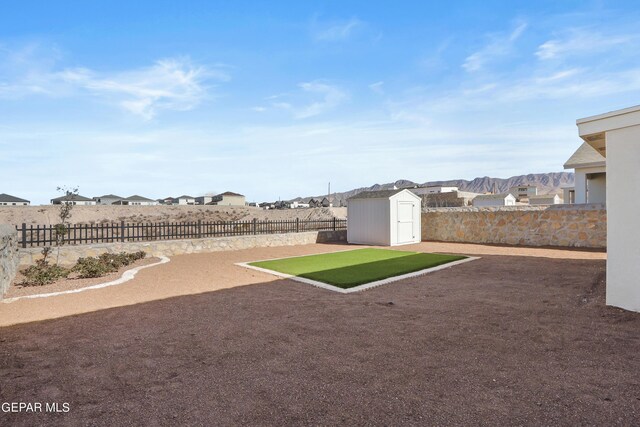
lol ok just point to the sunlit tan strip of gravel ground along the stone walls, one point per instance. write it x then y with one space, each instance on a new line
198 273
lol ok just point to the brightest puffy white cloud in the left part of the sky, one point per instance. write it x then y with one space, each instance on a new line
169 84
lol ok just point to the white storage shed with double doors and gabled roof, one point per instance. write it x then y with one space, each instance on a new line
386 218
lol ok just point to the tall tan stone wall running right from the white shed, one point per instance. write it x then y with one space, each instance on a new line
558 225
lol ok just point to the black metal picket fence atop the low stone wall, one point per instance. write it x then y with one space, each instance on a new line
78 234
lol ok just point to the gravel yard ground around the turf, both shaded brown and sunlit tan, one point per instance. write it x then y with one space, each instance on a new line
517 340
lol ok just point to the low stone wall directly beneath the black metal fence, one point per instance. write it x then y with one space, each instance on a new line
70 254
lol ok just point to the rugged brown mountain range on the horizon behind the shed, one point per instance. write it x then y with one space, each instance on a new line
551 182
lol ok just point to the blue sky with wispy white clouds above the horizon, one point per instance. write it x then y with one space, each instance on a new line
275 99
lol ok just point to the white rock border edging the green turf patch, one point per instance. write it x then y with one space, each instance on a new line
358 288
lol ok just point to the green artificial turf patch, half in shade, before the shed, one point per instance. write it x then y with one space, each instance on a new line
352 268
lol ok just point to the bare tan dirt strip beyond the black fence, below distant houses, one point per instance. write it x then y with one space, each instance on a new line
45 215
